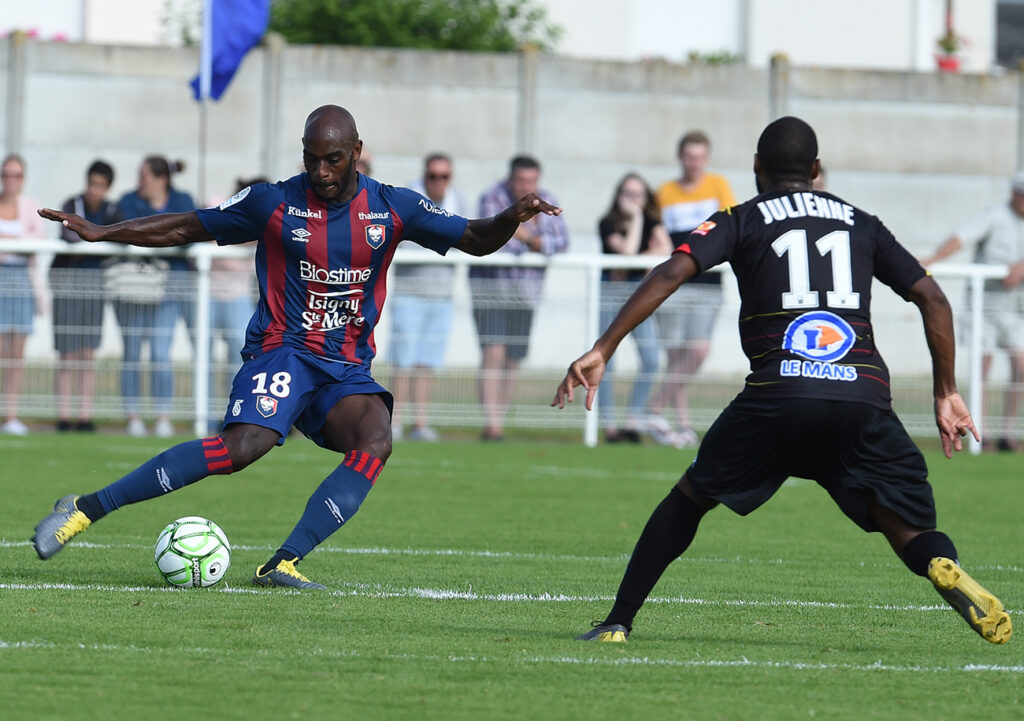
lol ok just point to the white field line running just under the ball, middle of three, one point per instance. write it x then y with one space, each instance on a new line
448 595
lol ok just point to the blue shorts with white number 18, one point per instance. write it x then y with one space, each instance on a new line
290 387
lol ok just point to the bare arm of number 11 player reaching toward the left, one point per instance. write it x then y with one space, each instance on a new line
588 370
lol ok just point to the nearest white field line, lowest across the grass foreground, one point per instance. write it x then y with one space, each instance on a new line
549 661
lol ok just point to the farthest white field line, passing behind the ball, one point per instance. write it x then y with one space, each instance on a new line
381 552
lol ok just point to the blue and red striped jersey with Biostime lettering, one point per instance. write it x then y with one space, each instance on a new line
322 268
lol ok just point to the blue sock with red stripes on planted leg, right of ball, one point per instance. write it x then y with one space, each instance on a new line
334 502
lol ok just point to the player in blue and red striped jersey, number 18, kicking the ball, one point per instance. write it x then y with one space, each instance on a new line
326 239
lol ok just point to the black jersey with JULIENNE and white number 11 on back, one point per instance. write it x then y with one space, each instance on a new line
804 263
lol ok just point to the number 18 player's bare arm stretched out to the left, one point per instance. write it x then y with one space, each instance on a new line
166 231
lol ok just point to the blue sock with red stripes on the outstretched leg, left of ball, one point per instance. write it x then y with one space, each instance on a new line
175 469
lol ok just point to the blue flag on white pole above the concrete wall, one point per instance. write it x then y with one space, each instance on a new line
231 29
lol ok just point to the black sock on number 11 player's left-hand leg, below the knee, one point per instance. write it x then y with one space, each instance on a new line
668 534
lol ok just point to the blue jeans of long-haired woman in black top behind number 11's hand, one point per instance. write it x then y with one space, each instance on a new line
614 294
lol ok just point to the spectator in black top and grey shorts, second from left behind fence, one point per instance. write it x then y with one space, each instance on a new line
78 304
